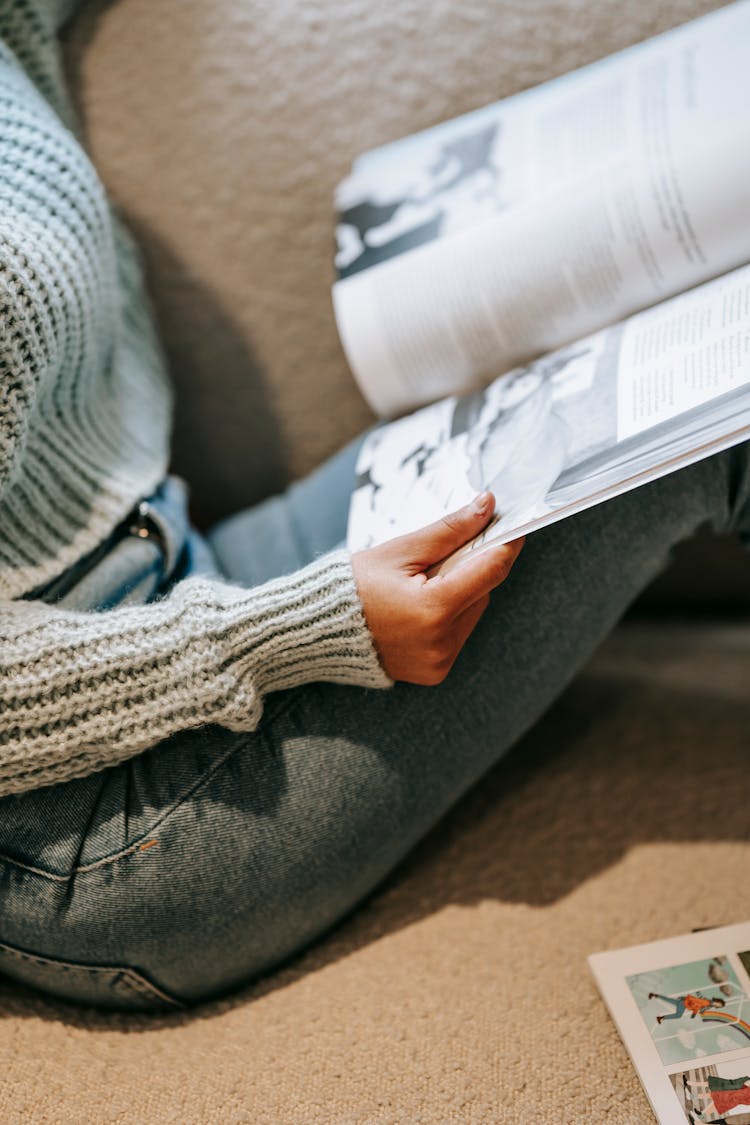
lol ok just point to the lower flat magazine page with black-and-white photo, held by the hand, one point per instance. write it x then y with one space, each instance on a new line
626 406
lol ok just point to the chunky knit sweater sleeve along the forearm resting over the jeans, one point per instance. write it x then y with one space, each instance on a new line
84 691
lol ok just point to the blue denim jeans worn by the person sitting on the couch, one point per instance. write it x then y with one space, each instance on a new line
214 857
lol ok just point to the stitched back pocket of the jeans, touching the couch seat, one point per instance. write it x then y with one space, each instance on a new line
118 987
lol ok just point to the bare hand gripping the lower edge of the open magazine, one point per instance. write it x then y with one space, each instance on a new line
420 624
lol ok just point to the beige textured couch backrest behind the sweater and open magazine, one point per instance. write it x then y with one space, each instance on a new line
223 129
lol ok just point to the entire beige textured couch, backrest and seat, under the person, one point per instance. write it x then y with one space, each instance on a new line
460 993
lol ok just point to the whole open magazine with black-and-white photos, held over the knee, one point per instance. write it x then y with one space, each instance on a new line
571 266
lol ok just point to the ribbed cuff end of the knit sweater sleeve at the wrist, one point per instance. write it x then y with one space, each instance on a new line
312 629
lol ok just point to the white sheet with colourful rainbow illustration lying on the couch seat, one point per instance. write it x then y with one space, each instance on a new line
683 1010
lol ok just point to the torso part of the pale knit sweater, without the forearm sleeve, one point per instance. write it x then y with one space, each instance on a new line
84 400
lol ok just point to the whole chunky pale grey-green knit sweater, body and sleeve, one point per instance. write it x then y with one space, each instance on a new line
85 412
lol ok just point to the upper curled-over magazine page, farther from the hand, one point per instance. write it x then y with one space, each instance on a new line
484 242
